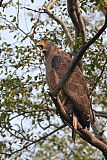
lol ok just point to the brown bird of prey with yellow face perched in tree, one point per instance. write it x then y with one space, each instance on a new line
73 97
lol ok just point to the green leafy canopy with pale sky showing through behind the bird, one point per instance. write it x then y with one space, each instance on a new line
26 111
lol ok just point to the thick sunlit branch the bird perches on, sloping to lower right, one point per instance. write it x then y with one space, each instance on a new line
101 143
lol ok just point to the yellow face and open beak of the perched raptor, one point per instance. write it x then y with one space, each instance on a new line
42 44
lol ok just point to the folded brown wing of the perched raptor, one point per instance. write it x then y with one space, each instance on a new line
75 87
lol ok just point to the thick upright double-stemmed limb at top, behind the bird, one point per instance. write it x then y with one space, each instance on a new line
73 7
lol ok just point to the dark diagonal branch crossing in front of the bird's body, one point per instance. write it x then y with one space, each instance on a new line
76 60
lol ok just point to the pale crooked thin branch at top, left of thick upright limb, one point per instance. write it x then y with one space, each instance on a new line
58 20
